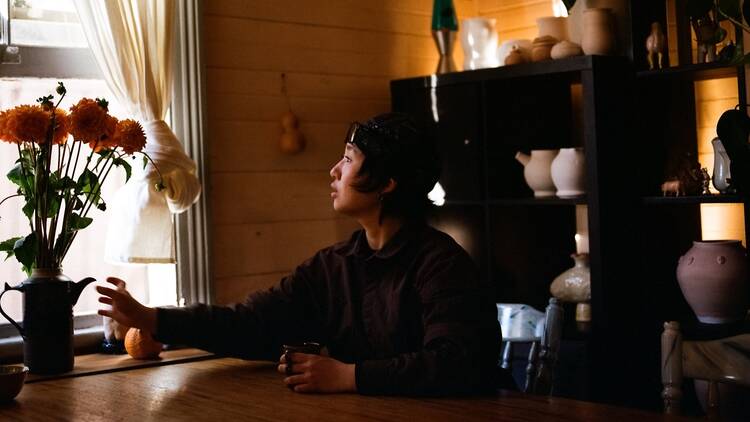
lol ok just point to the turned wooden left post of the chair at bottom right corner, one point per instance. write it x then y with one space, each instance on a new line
671 367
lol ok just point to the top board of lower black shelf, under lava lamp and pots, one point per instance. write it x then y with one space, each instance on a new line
544 68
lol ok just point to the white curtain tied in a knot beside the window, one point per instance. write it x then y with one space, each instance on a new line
132 41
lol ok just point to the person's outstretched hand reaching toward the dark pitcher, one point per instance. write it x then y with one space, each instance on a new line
126 310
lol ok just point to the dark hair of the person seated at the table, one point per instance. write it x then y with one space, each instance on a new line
395 147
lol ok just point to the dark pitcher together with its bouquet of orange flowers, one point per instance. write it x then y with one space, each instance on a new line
63 160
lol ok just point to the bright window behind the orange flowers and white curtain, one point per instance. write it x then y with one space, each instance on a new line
41 42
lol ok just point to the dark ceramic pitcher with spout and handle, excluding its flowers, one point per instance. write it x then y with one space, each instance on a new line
47 329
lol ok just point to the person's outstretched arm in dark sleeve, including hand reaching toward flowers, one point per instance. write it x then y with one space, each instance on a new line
255 329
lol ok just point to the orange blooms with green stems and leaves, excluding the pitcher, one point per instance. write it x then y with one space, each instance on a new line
58 184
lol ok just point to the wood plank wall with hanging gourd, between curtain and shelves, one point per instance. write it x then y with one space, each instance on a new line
271 211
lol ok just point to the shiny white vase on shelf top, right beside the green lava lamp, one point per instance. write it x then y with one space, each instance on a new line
479 42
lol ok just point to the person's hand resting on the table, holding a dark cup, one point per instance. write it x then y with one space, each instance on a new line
318 374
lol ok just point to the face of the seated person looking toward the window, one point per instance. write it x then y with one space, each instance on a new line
346 199
